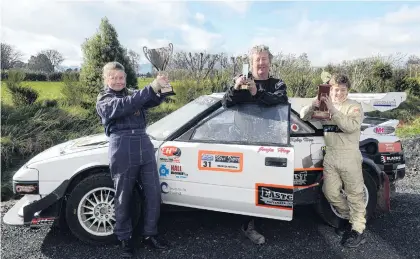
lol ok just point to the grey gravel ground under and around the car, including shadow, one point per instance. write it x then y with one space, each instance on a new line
205 234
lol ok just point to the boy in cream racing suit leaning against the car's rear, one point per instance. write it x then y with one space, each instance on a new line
343 159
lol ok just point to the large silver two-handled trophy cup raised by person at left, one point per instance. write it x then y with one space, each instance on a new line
159 58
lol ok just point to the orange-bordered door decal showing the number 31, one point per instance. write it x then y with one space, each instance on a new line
220 161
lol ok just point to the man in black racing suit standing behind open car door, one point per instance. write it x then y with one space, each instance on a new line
258 88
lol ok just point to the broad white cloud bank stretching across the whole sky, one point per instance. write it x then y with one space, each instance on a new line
64 25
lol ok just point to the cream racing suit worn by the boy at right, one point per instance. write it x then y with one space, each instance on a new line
343 161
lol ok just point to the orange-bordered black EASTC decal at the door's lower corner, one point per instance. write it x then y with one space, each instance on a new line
274 196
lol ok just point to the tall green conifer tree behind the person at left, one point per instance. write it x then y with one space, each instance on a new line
101 48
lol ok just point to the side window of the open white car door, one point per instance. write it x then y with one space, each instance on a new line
246 123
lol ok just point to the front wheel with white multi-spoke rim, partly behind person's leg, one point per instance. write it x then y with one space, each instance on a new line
90 211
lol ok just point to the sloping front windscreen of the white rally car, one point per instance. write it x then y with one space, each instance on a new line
164 127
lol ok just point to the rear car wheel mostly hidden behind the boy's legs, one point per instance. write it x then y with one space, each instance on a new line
333 218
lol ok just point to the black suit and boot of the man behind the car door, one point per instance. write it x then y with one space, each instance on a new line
271 91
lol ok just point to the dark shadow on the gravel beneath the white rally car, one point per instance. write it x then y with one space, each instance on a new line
206 234
